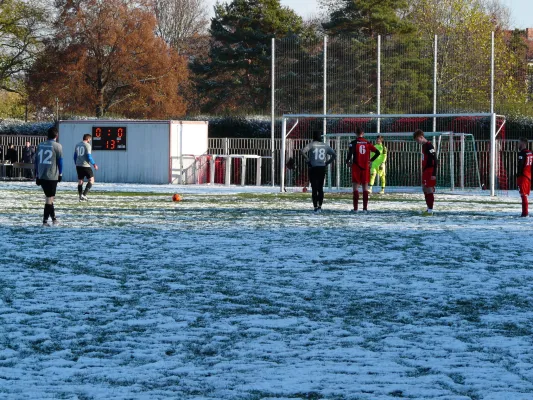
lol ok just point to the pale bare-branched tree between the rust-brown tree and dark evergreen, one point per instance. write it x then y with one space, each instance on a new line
179 20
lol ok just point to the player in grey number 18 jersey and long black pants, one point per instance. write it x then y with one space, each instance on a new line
316 155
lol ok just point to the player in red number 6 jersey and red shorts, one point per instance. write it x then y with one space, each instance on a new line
359 158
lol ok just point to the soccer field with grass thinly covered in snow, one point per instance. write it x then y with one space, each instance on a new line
250 295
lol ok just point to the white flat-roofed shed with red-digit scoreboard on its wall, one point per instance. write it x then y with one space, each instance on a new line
149 152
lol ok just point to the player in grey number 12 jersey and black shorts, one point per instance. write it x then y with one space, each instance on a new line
48 172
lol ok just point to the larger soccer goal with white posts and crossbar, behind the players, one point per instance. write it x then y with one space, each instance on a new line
461 164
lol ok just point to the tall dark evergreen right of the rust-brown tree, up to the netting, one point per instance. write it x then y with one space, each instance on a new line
236 75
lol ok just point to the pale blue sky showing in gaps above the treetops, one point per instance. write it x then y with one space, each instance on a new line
521 10
